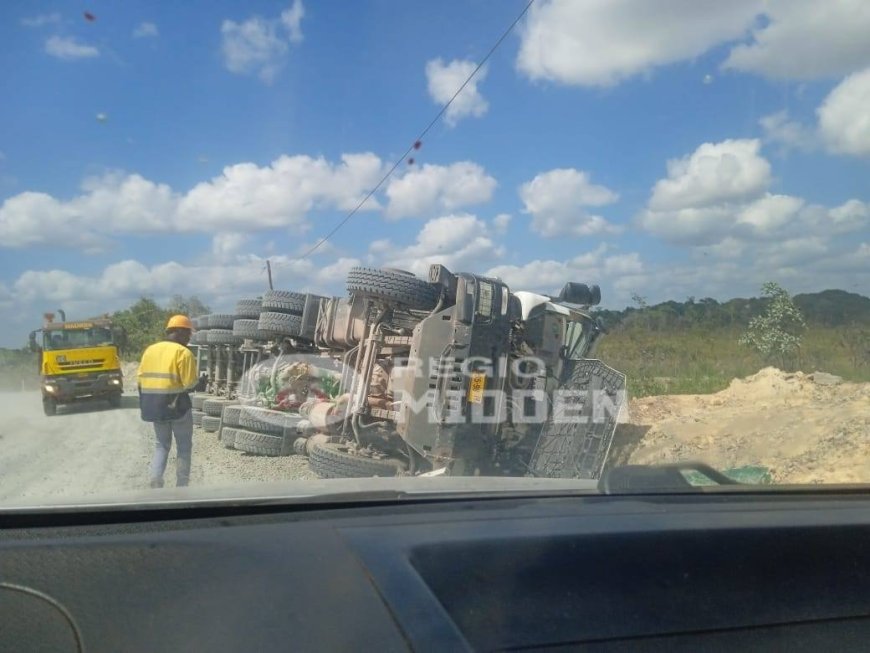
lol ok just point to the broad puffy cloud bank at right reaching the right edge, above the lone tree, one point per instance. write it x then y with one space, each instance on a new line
720 192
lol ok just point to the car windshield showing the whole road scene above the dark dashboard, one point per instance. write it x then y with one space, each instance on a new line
532 240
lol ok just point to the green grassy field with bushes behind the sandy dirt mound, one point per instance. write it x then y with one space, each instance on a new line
694 347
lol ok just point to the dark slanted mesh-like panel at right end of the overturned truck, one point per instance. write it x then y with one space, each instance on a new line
576 438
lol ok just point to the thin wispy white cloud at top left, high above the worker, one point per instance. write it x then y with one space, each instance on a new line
259 45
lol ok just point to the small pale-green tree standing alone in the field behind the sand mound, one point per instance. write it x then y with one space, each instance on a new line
776 334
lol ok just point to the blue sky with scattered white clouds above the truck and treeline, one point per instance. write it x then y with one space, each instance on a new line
225 125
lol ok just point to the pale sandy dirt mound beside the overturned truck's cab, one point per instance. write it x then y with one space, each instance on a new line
806 428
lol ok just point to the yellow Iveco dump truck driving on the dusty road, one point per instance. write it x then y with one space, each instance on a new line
78 361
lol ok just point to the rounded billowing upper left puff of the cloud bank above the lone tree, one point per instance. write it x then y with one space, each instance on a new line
713 173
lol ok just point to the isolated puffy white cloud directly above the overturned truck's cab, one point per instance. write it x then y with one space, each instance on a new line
557 202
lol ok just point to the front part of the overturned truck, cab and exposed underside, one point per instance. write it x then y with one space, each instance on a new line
457 375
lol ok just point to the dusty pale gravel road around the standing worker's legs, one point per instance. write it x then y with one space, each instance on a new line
91 449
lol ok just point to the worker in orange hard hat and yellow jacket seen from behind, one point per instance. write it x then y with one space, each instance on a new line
167 373
